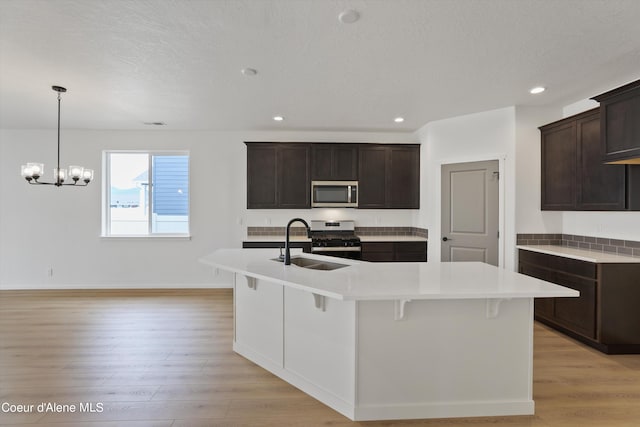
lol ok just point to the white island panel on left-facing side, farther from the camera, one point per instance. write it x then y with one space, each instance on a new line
258 334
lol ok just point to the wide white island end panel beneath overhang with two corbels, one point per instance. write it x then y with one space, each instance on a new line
446 358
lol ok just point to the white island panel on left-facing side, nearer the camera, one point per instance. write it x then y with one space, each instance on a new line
319 347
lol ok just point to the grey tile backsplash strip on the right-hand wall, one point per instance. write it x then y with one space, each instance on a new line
616 246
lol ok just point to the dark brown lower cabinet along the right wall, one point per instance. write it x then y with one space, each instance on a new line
605 315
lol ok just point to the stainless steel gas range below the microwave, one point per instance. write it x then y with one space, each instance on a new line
335 238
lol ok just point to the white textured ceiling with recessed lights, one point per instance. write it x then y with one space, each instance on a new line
125 62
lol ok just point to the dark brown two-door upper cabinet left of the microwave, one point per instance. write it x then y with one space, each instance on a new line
278 176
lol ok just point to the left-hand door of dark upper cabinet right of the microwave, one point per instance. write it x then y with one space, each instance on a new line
372 177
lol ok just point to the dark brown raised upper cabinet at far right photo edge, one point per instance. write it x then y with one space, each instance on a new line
620 113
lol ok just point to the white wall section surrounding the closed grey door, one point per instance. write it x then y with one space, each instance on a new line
481 136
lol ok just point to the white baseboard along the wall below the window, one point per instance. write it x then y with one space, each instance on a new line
61 286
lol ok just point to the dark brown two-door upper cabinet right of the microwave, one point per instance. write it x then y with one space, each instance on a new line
389 176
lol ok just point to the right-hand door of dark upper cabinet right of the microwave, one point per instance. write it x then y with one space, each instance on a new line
403 186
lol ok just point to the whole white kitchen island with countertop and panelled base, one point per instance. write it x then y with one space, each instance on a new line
381 341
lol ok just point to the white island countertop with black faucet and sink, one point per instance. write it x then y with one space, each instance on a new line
387 281
